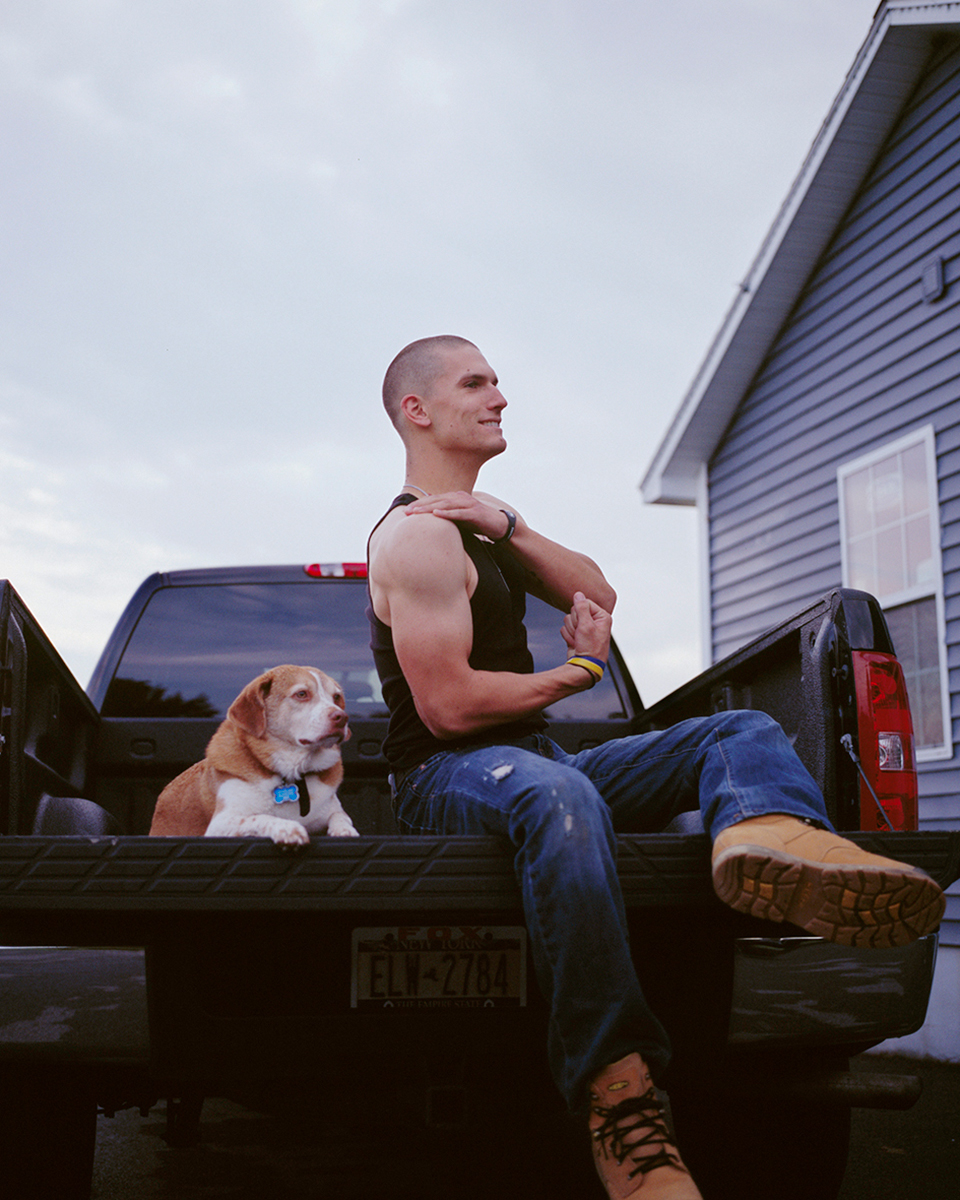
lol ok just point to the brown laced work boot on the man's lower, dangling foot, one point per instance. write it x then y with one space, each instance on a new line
633 1149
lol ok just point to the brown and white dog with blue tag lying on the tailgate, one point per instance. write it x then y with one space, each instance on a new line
272 770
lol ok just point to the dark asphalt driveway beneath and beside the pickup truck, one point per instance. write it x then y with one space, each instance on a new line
247 1156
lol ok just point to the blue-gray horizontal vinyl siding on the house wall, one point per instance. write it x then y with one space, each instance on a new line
861 362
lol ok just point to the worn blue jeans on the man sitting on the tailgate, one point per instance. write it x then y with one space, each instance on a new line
562 813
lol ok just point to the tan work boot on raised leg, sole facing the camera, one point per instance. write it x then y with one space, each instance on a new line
781 868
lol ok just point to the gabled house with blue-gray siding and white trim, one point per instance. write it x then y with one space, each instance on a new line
821 437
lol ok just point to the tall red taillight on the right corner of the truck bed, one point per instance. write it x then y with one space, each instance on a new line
886 737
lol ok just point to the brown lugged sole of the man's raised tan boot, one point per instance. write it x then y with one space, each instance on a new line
860 907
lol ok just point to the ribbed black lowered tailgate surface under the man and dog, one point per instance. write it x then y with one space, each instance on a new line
69 883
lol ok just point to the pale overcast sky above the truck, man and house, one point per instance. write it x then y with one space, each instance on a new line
221 219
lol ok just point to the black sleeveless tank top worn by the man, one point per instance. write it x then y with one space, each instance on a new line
500 644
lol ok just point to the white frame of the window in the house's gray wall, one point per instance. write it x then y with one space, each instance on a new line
925 437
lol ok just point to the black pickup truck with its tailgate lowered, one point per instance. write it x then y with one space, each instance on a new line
137 970
